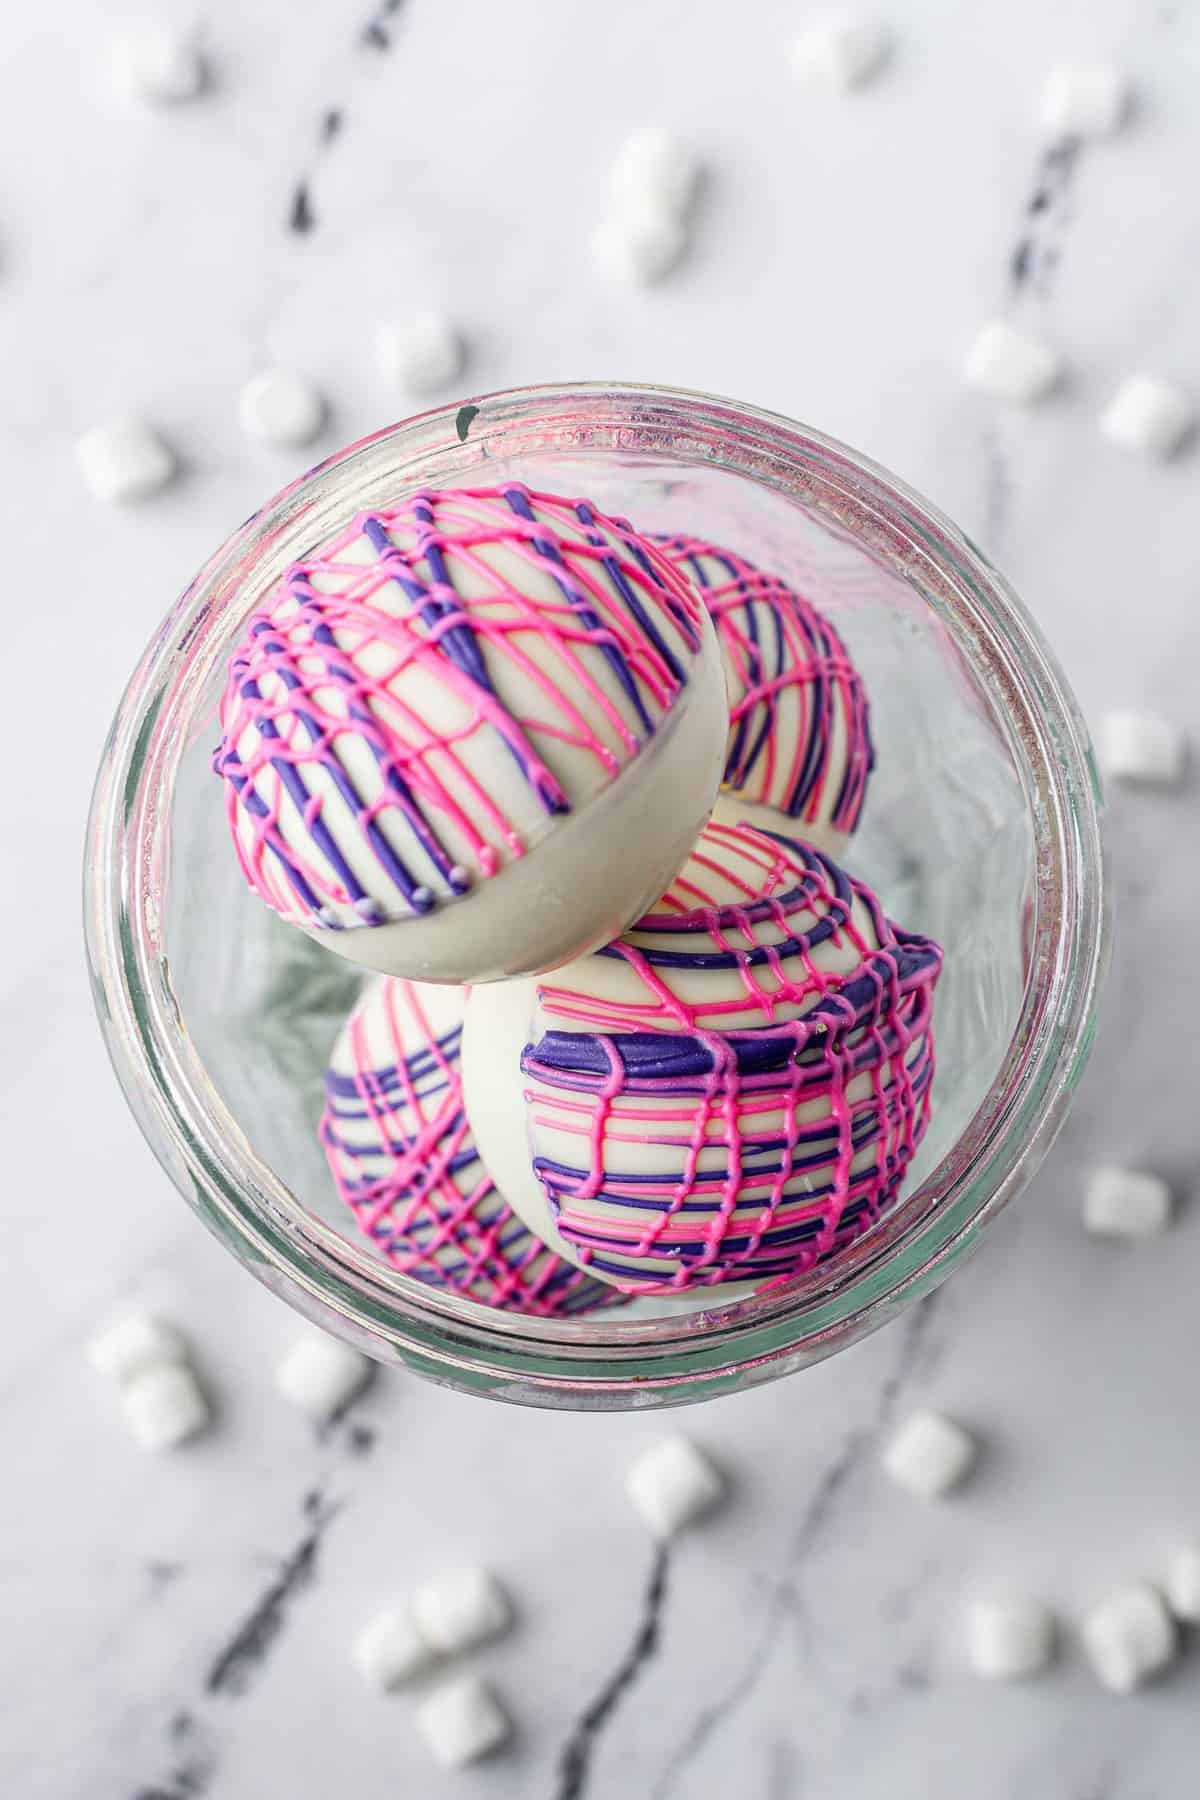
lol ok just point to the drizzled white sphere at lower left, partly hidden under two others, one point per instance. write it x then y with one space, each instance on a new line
406 1162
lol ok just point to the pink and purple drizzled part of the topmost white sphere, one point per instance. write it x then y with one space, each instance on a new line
607 656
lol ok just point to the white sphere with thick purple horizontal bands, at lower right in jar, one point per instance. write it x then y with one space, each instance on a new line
731 1092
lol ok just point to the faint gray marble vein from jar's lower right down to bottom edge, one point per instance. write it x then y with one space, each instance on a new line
784 1599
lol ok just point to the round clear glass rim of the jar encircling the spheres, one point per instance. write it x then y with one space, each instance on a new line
613 1362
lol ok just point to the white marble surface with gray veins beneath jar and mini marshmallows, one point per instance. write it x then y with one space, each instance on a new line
179 1628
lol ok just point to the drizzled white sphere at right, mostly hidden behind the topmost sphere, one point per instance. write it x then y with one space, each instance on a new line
800 732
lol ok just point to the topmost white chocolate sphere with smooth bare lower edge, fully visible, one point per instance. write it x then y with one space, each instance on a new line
474 735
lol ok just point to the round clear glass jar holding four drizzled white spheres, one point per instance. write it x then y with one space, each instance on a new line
981 829
